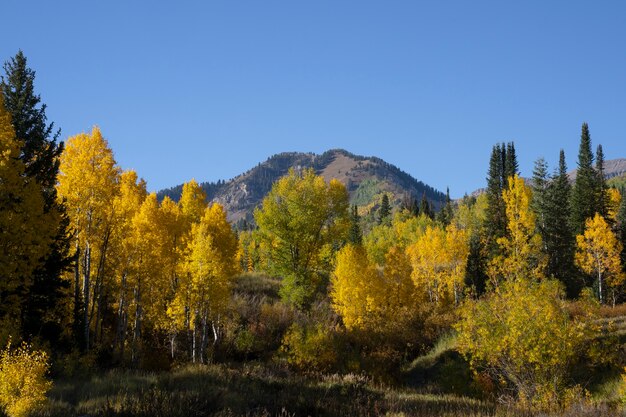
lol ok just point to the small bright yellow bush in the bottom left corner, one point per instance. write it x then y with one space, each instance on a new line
23 382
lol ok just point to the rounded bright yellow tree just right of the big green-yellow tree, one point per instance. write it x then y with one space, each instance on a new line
356 288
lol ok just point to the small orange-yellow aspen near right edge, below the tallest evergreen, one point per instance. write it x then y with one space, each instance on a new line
598 254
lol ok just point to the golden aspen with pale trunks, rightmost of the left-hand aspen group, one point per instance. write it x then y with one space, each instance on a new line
210 263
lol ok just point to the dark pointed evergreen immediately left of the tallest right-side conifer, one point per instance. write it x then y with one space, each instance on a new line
557 235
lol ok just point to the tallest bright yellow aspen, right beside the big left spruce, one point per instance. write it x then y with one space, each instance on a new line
88 183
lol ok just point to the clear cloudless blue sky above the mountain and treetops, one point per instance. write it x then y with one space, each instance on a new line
208 89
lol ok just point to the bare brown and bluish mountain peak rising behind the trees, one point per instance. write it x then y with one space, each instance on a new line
366 179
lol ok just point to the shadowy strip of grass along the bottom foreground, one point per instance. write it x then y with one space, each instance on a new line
256 389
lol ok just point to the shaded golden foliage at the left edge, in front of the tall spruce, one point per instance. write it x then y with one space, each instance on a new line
25 231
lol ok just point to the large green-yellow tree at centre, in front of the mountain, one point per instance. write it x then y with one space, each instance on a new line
302 220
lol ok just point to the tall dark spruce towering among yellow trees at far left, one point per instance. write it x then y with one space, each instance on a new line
40 154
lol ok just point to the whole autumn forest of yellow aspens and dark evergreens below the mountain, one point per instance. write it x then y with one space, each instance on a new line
116 303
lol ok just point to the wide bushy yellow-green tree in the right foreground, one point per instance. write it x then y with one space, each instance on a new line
522 335
